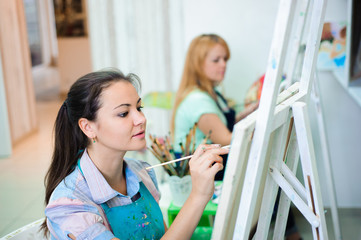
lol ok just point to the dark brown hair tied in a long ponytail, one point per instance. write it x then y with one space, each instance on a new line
83 101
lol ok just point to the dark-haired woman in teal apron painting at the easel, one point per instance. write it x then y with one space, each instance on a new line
92 192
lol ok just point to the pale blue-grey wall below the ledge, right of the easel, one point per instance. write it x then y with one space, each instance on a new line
342 122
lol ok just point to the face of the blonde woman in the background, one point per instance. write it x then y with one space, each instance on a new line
215 64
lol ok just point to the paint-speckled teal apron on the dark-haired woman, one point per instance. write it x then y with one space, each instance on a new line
141 219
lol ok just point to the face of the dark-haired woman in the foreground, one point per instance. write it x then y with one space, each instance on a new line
120 123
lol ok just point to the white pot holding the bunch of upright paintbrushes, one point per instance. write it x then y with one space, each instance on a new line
180 189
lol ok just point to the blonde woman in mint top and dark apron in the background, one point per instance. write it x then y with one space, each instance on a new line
197 100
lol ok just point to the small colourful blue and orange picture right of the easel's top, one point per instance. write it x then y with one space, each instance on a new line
332 52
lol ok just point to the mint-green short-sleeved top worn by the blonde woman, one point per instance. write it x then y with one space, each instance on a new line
189 111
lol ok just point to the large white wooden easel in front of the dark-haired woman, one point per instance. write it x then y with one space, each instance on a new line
274 130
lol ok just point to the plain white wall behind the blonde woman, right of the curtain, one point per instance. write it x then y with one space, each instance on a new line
247 26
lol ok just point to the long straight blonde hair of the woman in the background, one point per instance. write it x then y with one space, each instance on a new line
193 74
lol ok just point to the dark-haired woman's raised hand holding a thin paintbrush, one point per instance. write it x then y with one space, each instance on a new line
204 165
